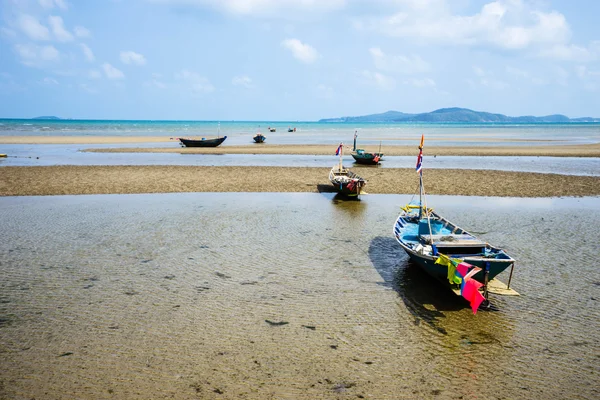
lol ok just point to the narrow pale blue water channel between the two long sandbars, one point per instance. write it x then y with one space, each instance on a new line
47 155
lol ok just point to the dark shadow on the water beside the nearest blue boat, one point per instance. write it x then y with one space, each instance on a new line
425 298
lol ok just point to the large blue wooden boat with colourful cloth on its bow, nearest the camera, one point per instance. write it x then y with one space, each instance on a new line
450 254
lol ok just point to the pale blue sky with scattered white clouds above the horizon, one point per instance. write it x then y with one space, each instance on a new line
296 59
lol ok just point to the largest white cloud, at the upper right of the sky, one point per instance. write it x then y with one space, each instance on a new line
503 24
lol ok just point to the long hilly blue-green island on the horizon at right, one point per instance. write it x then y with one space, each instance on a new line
456 114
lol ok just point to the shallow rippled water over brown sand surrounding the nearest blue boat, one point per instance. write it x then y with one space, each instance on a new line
287 296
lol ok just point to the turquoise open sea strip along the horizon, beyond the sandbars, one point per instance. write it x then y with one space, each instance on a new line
241 132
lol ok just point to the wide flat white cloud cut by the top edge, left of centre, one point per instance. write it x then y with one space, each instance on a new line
284 8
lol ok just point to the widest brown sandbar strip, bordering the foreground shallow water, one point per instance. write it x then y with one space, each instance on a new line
73 180
